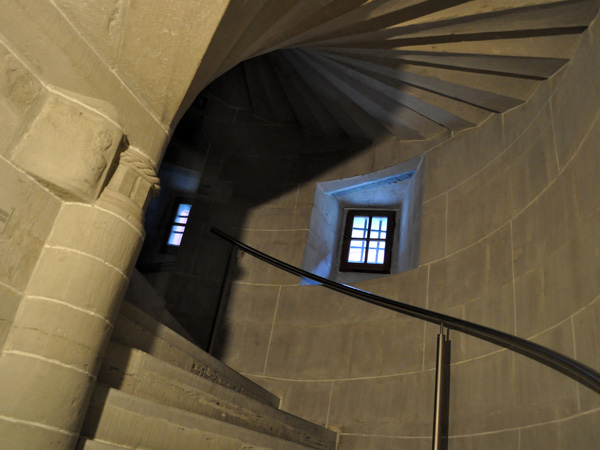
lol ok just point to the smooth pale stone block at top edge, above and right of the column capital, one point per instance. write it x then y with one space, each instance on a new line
152 31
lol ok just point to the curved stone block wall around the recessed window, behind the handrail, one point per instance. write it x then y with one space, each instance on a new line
509 239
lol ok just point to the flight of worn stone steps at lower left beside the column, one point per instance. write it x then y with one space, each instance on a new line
156 390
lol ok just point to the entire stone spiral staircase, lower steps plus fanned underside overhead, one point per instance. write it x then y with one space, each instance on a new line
409 69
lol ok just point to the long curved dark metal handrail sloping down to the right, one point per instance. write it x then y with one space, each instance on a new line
568 366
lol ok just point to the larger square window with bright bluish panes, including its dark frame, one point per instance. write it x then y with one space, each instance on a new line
367 241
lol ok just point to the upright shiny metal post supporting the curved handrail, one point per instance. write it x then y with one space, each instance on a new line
442 385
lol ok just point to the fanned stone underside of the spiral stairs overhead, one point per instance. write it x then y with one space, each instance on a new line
410 68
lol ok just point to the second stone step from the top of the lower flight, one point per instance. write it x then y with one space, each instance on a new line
142 375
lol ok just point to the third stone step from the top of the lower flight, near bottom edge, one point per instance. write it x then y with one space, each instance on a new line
121 419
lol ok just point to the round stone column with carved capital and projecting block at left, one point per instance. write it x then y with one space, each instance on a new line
55 347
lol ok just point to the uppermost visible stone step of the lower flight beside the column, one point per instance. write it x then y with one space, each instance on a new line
137 330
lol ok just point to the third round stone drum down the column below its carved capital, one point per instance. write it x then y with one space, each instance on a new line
59 333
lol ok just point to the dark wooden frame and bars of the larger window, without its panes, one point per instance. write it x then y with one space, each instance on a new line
385 268
